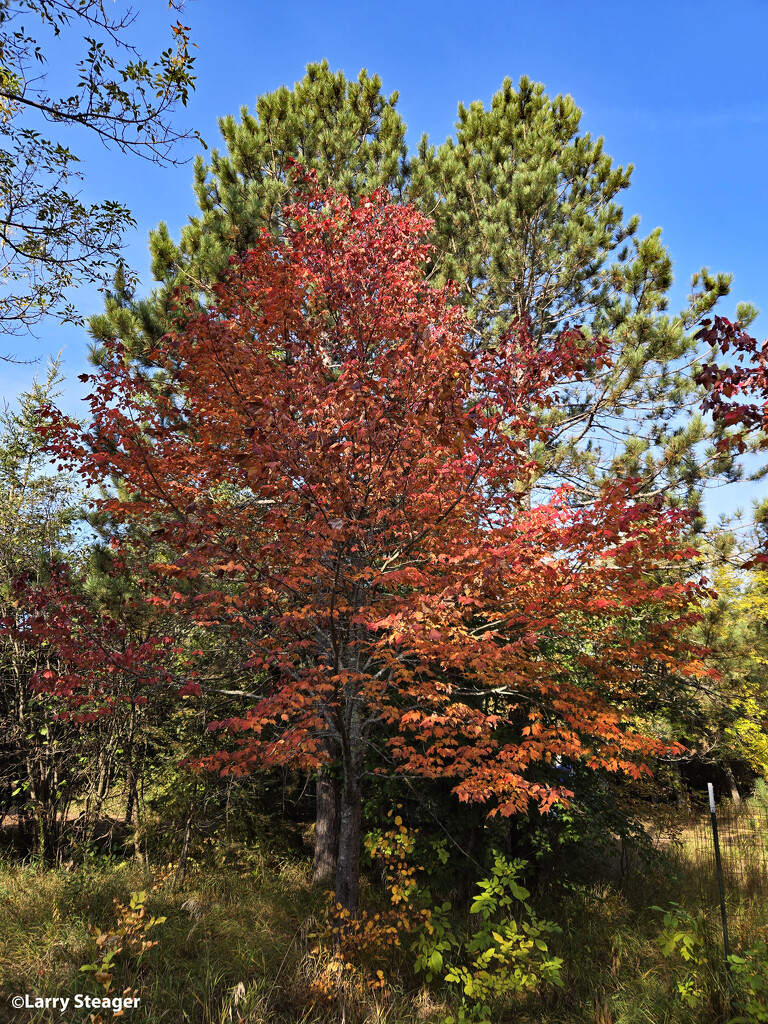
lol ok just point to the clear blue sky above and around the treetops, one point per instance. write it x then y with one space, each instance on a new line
679 90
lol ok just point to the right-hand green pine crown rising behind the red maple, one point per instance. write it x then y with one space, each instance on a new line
528 223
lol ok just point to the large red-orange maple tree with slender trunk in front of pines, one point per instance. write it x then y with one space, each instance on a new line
334 470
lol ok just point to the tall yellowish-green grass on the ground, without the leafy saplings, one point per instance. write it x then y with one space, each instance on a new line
237 947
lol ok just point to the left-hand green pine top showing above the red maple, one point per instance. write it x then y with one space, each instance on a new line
347 132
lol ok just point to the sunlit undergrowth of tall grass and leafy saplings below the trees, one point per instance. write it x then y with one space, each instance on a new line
250 942
